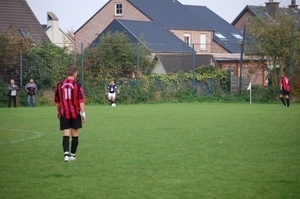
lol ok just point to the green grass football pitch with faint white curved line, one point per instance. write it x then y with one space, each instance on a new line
172 150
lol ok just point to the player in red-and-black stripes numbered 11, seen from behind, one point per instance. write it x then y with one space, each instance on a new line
69 99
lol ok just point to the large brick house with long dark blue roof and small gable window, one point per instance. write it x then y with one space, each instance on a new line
195 25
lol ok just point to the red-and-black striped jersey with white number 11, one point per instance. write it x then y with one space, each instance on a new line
68 95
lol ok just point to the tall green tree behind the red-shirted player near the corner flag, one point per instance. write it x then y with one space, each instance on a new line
269 39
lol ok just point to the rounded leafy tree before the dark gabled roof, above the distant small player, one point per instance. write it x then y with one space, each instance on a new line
114 57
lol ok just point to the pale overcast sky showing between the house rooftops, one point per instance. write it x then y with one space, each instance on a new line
72 14
